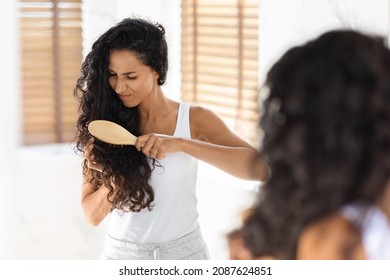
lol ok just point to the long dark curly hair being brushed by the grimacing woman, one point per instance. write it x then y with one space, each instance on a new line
124 166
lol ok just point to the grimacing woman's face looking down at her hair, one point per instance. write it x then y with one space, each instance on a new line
130 78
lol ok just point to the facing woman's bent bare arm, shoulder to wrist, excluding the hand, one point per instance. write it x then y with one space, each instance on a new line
217 145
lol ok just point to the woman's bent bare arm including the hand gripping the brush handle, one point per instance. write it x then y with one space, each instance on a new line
213 142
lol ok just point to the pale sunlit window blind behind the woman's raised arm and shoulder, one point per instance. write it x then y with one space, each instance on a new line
220 60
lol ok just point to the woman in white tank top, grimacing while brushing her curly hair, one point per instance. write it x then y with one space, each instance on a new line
149 189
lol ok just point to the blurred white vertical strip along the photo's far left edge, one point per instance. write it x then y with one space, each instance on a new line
10 135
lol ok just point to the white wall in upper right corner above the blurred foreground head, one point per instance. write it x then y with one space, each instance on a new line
284 24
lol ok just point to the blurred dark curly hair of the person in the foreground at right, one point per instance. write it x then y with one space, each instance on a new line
326 125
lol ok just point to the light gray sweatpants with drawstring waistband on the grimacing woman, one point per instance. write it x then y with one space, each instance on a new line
188 247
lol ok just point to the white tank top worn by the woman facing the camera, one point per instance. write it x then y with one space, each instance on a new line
174 213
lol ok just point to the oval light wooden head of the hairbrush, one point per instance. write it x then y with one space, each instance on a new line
111 133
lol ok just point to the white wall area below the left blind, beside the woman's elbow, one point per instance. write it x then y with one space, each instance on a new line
52 223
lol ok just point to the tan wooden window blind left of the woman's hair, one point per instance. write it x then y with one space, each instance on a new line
51 52
